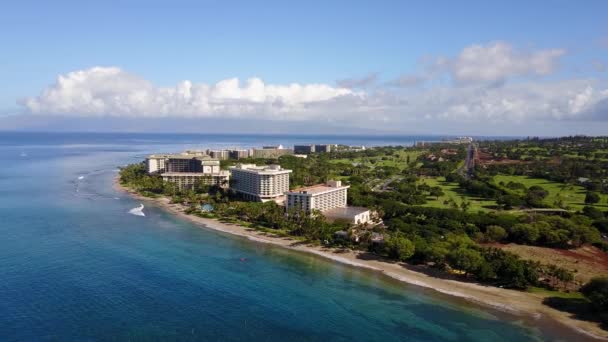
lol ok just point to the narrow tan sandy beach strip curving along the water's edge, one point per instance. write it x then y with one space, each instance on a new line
506 300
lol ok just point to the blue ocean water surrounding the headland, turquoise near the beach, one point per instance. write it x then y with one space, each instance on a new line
74 265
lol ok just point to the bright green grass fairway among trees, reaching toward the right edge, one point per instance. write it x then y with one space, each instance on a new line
572 196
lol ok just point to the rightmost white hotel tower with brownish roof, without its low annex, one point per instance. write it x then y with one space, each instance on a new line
320 197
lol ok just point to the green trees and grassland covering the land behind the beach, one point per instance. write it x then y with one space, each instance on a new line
435 214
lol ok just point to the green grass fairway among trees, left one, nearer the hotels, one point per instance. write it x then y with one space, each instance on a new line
452 191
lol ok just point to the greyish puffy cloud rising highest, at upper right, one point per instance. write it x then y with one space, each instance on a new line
496 62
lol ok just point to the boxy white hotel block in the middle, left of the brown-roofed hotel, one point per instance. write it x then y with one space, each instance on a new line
260 183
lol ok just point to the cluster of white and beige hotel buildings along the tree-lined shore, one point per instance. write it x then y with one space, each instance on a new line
258 183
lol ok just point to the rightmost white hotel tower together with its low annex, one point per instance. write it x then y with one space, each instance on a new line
329 199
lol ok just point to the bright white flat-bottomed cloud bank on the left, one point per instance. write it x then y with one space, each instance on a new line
112 91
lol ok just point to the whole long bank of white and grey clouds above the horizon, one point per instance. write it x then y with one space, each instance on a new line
452 90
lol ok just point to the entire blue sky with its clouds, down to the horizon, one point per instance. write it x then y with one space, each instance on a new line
377 67
